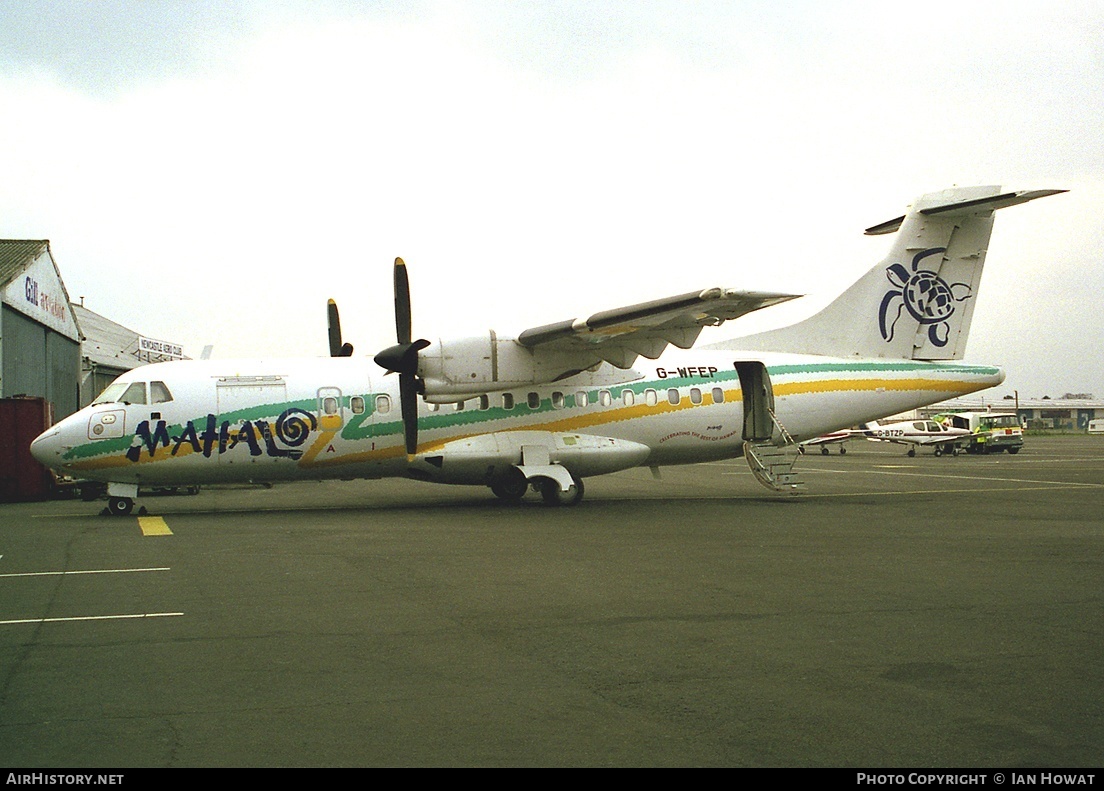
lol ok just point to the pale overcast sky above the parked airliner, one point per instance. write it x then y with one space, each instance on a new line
211 173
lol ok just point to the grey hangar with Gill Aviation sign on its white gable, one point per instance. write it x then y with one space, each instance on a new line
40 336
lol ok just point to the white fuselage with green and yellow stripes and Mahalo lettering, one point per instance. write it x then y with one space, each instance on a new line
339 418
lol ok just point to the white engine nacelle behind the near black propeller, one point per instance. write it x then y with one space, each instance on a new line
463 367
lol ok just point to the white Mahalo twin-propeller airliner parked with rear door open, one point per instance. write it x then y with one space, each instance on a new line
565 402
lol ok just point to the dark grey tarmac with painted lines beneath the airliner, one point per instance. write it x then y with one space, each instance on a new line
903 613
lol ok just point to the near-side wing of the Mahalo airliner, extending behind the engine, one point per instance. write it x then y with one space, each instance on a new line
622 335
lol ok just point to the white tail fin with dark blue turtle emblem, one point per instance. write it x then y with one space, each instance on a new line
919 302
